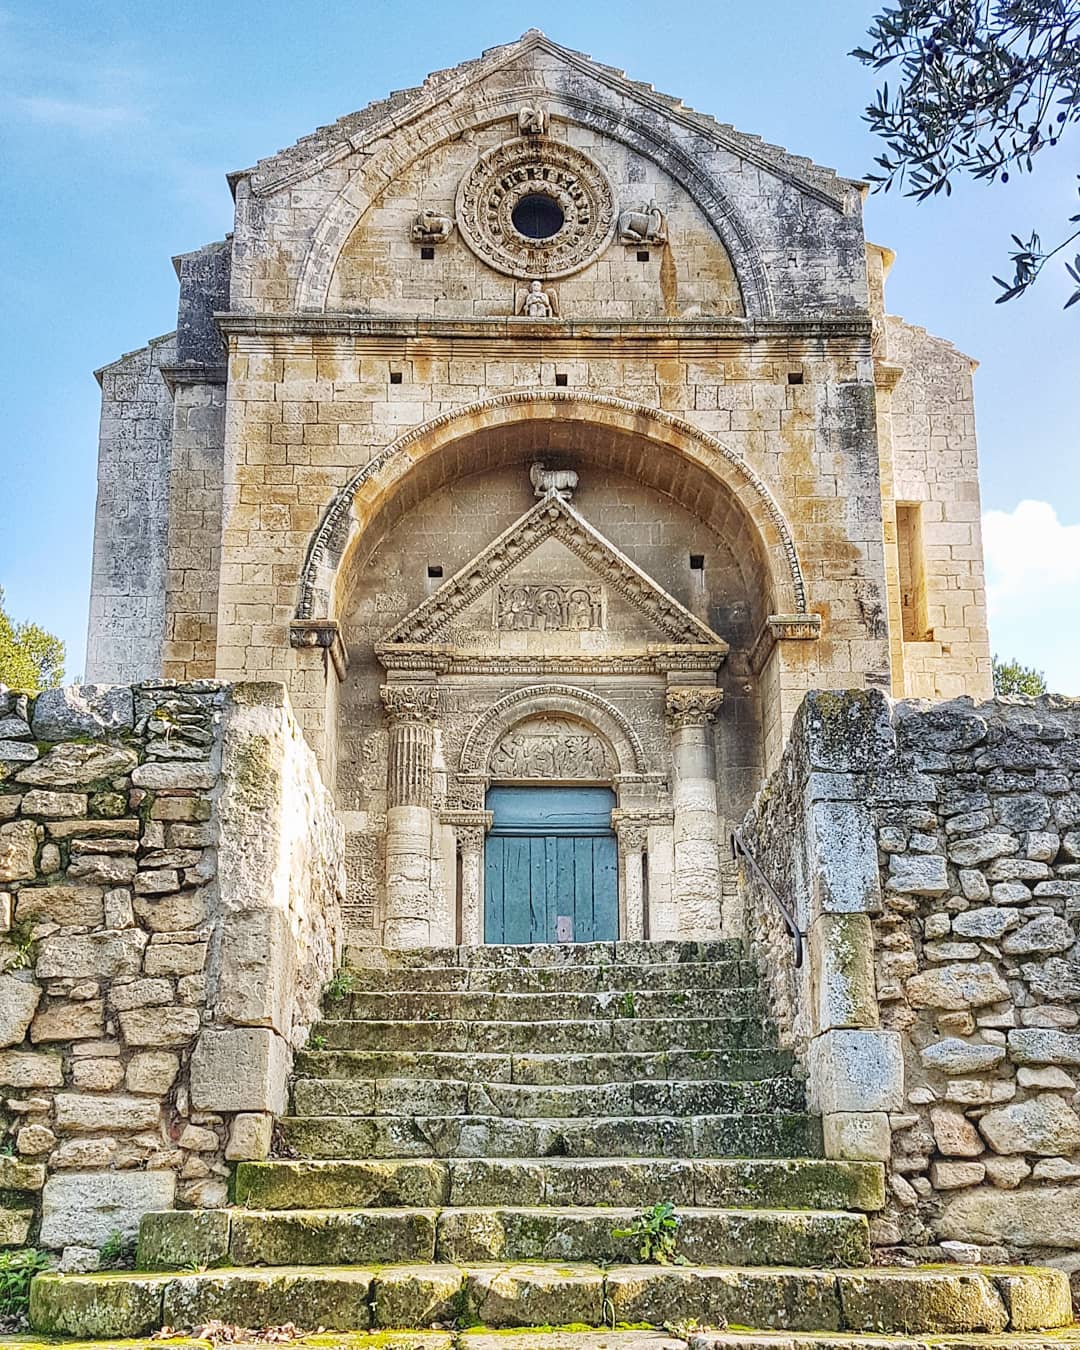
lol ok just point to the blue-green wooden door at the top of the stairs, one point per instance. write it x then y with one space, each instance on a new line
551 871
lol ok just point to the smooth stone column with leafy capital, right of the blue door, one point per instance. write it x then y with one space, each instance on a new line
692 709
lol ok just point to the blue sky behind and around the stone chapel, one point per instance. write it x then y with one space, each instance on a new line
119 122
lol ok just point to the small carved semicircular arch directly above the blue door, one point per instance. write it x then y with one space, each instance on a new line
581 704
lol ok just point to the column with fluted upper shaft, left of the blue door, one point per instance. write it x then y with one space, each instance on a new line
411 711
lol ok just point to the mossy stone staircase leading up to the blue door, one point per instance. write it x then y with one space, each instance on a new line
473 1127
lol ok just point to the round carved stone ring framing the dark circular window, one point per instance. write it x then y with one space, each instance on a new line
530 167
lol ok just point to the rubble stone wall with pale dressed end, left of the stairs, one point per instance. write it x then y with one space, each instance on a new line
171 908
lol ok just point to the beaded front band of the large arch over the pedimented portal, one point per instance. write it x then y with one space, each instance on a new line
340 527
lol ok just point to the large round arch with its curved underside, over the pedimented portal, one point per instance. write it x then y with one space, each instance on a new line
577 419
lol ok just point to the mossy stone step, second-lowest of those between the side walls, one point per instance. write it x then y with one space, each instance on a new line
431 1097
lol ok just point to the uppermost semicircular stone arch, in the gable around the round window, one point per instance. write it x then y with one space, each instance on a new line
441 126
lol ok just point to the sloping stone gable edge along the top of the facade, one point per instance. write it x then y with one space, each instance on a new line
360 130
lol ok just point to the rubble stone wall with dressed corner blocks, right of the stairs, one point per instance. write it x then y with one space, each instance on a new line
954 832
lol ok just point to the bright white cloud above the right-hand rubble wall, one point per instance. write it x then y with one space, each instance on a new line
1033 591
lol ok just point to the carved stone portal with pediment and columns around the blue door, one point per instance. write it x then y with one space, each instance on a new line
537 715
